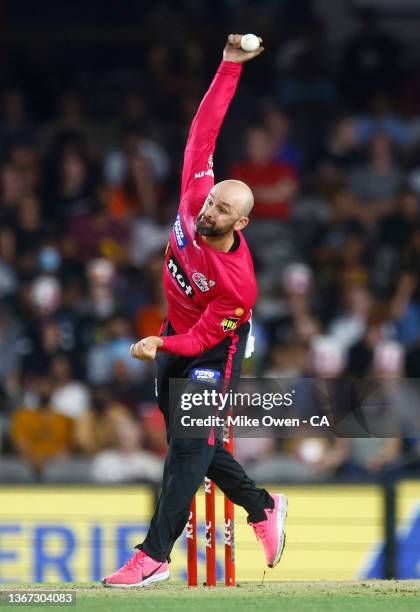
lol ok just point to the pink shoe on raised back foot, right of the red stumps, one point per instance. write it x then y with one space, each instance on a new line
271 531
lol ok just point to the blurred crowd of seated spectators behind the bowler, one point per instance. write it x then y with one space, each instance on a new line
87 202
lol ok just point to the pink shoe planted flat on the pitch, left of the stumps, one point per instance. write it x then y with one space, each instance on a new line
140 570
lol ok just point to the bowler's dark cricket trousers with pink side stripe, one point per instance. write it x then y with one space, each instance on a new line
189 460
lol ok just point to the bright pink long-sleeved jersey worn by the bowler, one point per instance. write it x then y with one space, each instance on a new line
209 293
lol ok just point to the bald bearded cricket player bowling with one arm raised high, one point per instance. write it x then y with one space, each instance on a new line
210 287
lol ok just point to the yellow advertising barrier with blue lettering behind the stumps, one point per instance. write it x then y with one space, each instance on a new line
50 534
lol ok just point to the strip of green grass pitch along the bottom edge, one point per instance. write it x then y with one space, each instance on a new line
291 596
